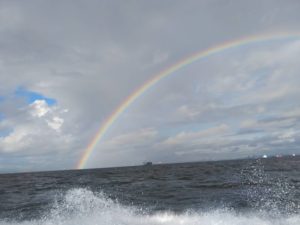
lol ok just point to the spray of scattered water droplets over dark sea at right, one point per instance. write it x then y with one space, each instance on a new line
265 192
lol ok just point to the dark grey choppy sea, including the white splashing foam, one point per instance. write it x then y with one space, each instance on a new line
244 192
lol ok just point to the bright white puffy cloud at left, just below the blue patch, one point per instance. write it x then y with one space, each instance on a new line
35 130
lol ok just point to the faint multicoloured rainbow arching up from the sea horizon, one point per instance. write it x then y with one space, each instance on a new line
168 71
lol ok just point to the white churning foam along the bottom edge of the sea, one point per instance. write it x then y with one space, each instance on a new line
83 207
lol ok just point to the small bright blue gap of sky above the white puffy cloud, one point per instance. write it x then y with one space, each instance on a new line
32 96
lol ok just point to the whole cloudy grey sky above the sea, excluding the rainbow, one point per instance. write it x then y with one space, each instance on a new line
65 66
